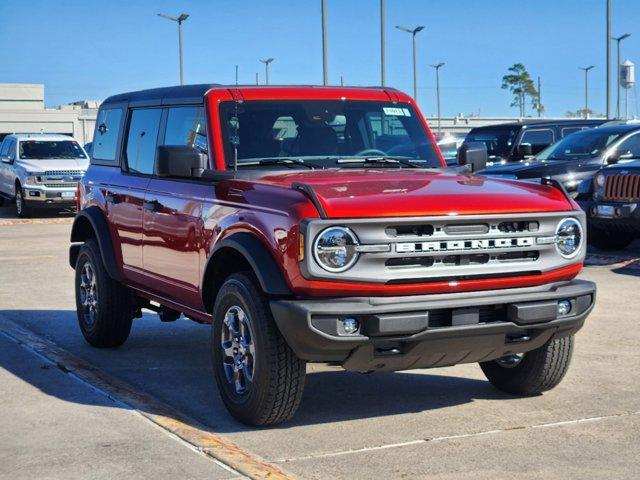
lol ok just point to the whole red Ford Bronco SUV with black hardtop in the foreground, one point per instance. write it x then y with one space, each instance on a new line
320 224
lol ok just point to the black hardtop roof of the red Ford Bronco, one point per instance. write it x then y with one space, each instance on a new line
193 93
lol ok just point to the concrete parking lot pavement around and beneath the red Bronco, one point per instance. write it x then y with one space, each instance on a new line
445 424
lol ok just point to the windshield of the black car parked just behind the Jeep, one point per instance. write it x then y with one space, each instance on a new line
585 144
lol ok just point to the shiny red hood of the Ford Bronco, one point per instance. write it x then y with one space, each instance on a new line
393 193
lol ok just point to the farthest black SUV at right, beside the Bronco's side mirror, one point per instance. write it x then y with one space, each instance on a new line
509 142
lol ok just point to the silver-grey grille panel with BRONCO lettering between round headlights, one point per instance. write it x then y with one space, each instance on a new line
447 248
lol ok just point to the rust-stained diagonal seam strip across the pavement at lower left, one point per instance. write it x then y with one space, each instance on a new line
180 427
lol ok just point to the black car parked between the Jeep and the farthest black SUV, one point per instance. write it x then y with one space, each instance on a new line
577 157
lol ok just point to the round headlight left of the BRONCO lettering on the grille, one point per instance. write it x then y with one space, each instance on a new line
335 249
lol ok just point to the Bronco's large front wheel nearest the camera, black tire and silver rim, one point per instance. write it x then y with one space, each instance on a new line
272 376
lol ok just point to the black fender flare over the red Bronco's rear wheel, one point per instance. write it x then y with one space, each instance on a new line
91 223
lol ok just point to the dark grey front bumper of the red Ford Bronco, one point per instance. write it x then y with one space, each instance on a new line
400 333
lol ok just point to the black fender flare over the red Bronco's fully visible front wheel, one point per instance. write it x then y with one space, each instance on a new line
257 256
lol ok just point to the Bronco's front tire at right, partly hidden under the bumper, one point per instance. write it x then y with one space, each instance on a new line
538 371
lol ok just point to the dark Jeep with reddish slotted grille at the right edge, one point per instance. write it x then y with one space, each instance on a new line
611 201
